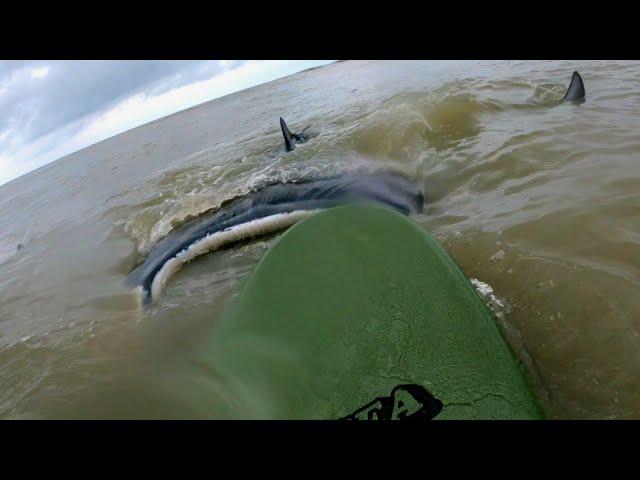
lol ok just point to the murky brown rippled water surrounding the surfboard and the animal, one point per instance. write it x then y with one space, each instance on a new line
539 200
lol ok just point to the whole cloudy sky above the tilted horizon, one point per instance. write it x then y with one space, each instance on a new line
49 109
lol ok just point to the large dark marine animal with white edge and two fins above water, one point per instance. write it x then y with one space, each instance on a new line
277 206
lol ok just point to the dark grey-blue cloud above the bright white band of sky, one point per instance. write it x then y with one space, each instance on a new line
33 104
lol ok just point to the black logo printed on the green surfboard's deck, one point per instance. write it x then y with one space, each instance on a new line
406 402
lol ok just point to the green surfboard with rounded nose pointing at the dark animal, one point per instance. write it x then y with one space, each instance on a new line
357 312
